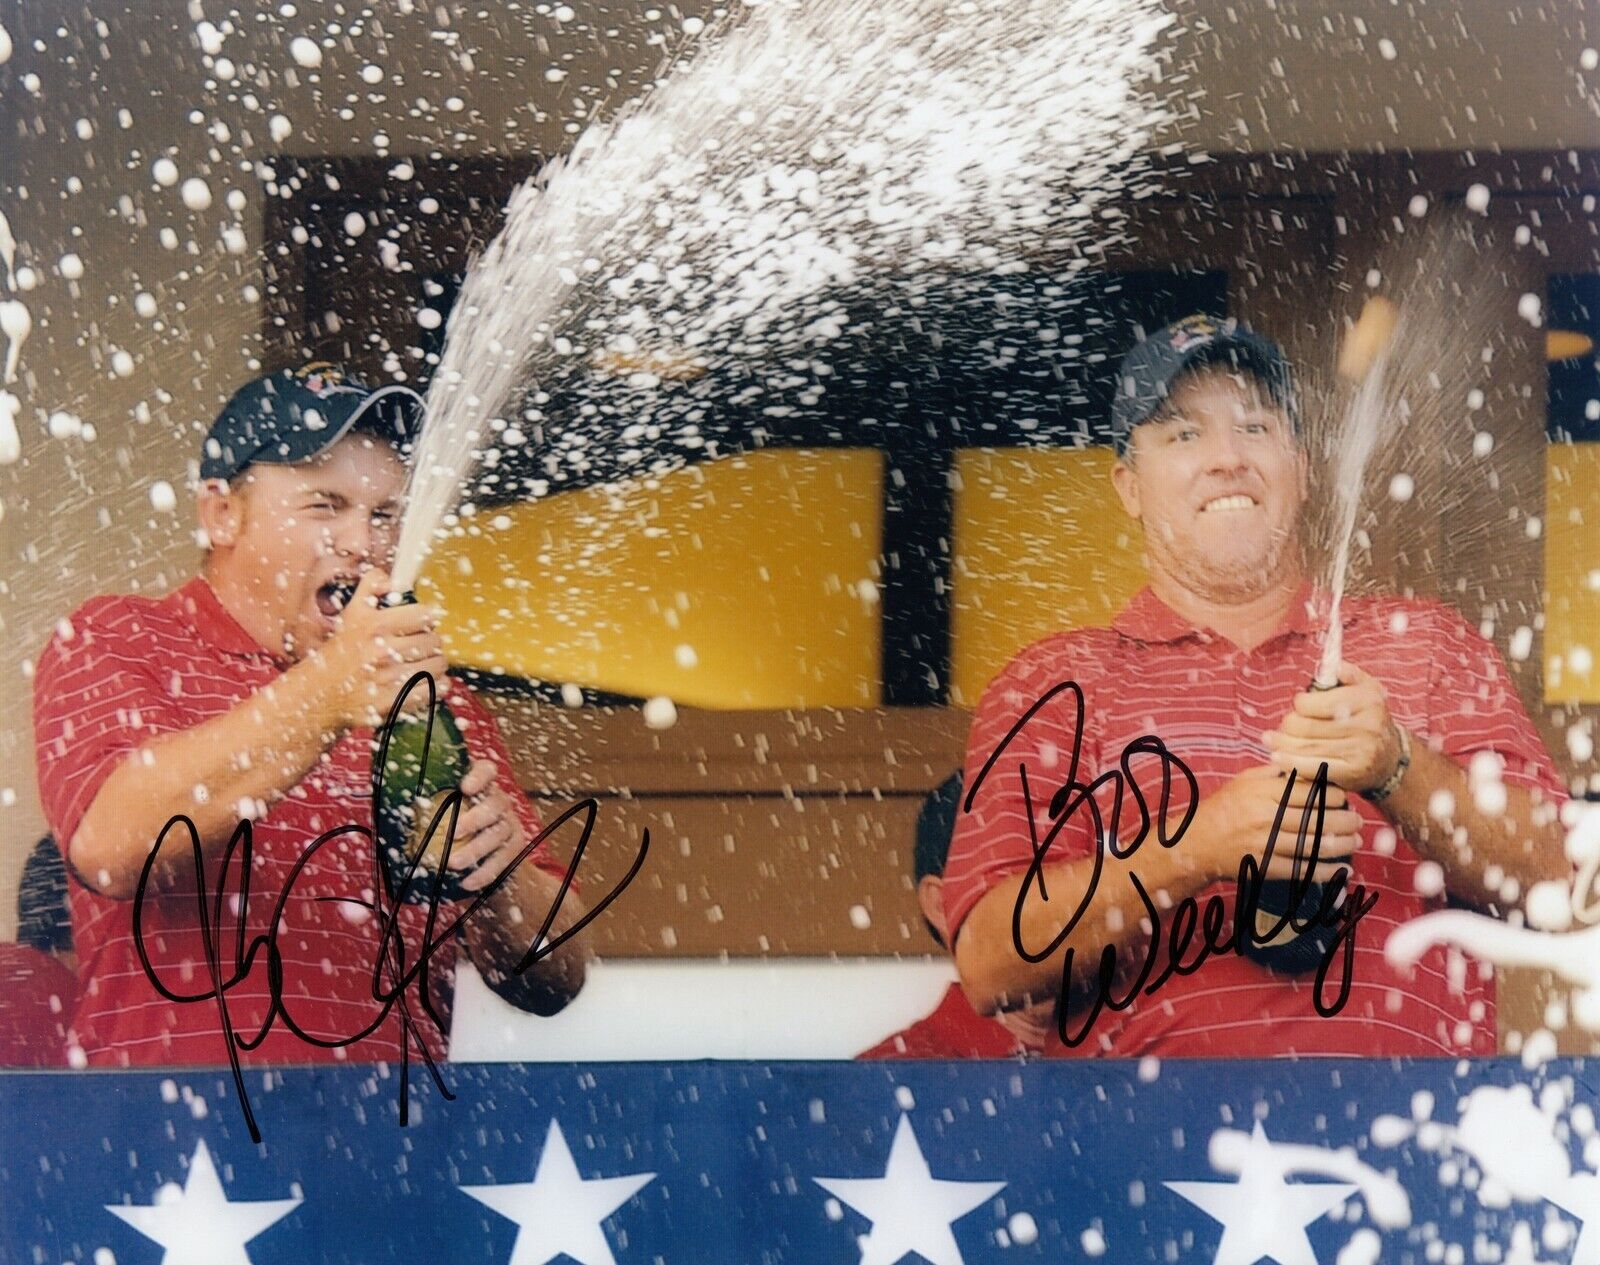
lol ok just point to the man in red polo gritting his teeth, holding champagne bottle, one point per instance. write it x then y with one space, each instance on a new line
1439 786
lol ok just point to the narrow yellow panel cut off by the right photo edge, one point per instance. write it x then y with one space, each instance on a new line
1572 572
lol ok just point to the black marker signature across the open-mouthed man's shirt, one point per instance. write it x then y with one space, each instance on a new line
393 973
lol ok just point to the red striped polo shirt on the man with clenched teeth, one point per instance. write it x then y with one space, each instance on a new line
1153 672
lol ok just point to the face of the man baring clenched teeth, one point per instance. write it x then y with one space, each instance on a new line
1218 482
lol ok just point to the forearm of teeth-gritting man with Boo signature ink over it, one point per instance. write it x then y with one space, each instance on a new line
998 978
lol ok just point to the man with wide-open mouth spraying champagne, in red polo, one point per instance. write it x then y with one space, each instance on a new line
250 693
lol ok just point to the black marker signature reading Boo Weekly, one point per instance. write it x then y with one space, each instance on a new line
1188 916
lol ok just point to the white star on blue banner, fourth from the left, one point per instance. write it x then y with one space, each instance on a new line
1262 1215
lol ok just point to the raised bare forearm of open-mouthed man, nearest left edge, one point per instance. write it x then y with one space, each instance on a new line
250 754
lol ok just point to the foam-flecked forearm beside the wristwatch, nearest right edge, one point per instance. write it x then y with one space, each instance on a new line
1524 842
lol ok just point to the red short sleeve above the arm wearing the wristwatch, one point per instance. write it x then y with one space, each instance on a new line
1474 708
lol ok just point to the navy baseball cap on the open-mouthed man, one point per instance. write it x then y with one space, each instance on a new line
294 415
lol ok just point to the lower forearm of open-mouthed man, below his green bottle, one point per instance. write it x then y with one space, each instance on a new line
502 933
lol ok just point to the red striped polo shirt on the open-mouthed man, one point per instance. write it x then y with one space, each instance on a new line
122 671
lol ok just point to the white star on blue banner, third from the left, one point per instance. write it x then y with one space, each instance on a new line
911 1210
